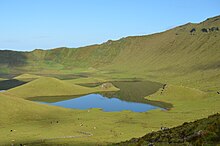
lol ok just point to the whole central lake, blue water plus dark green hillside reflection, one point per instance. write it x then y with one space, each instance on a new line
130 97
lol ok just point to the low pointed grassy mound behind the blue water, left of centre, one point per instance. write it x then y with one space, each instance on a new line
47 86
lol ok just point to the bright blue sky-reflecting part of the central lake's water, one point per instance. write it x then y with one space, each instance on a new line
106 104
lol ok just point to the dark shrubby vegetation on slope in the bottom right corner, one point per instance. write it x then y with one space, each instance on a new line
201 132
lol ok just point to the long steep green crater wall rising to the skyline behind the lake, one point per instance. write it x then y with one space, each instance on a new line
188 54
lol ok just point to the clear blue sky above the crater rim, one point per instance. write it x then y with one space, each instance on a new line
31 24
